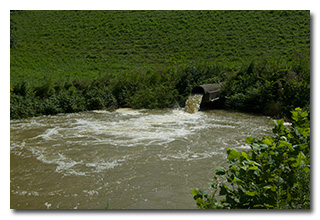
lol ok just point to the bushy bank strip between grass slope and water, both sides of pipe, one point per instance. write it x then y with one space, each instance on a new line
264 86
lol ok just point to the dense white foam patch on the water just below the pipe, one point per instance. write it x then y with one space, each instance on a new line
143 128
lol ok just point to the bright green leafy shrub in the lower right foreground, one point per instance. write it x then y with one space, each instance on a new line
274 173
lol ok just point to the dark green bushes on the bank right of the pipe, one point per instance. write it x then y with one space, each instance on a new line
269 85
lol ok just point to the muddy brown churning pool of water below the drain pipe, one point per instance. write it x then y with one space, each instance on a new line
130 159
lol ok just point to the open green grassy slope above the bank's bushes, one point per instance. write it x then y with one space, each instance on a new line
91 43
